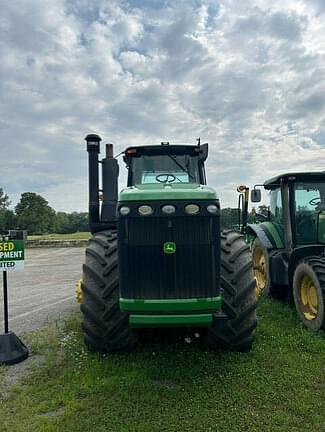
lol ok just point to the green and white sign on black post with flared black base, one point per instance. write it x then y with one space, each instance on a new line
12 349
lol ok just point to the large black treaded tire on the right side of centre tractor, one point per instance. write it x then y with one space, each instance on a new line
238 296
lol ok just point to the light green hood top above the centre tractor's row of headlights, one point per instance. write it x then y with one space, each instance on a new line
169 191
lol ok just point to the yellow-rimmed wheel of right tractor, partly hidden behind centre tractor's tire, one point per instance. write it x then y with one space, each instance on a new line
261 265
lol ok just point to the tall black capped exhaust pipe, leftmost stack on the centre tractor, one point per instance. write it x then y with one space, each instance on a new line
93 149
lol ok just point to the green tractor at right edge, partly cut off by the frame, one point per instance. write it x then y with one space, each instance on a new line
288 244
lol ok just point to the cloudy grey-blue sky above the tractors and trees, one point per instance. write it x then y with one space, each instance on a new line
248 77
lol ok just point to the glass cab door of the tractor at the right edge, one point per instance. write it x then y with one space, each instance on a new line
309 212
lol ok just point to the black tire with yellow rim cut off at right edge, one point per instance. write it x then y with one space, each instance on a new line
309 292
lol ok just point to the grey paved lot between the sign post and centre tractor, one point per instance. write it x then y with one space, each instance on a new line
45 289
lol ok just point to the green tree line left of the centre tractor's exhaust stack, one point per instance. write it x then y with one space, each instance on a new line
33 213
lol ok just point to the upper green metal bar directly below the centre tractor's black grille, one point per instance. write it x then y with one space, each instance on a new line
170 305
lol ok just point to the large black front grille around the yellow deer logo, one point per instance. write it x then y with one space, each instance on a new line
147 272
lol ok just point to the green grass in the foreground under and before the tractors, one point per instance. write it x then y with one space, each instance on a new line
174 386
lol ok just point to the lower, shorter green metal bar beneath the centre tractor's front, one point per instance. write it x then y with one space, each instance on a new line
170 320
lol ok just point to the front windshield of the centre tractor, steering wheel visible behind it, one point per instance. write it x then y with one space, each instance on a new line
158 169
